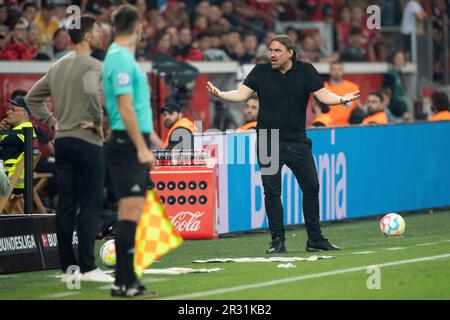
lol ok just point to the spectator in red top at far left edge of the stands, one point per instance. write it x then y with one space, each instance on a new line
17 48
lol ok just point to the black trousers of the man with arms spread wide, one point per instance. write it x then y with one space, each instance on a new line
298 157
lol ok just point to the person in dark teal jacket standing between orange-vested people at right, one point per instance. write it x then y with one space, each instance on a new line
394 80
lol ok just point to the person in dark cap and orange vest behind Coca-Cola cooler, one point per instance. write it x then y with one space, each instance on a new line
181 129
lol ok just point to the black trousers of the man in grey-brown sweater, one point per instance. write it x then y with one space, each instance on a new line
81 171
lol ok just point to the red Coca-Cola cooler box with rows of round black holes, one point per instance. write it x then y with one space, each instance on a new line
189 196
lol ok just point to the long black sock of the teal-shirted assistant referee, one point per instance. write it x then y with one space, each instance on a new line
125 235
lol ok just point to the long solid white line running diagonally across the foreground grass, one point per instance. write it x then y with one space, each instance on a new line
299 278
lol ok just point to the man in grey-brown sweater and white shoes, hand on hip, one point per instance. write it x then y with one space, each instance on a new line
74 84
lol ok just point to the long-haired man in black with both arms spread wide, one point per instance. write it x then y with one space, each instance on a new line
283 87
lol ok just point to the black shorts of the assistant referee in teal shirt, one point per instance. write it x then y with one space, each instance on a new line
129 178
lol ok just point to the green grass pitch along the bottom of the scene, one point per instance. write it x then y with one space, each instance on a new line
427 235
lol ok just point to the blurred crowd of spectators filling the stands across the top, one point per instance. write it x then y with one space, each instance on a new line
219 30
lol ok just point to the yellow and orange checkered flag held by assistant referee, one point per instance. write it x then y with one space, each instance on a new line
155 234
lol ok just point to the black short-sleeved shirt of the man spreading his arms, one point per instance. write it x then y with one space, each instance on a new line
283 98
